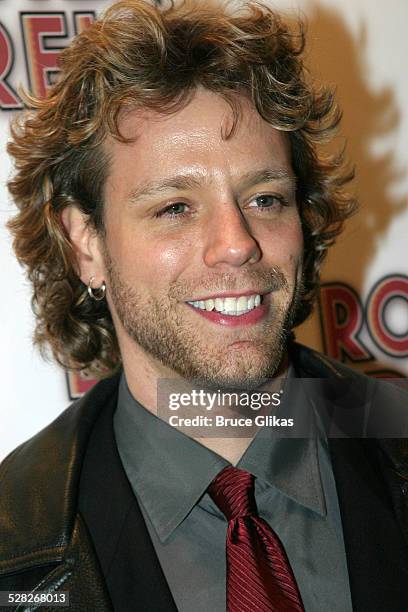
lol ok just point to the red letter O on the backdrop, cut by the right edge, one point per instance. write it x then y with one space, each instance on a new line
384 292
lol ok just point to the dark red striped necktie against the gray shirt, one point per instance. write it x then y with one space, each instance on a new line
259 576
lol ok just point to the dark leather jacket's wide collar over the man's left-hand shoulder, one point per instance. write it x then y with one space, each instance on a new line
39 482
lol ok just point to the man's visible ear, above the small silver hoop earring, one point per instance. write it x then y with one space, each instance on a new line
86 245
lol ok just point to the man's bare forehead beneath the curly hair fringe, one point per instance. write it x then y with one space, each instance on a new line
198 139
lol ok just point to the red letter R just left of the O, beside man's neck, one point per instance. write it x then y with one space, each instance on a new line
341 317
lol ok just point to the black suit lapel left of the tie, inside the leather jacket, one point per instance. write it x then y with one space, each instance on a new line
123 546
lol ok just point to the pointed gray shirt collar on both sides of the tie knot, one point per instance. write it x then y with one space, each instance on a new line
183 468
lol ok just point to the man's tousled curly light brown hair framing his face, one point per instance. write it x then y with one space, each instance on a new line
143 56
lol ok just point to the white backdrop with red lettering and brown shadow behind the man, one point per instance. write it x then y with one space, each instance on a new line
362 315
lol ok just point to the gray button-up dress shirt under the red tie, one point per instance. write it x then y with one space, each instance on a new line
295 493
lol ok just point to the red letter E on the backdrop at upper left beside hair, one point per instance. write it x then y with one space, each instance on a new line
41 58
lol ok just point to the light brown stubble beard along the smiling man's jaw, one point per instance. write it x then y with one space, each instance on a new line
159 327
